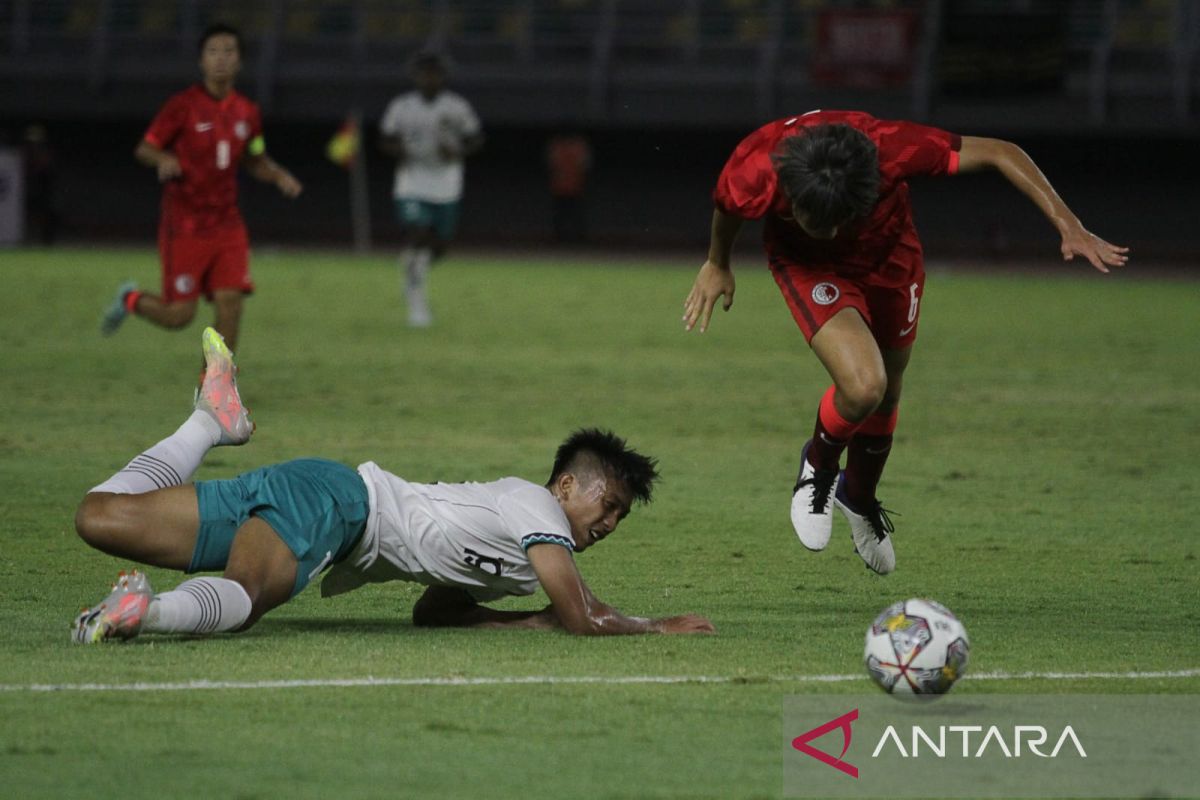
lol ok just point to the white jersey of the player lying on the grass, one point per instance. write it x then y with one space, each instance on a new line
471 537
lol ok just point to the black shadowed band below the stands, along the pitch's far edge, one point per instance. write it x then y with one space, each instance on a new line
647 190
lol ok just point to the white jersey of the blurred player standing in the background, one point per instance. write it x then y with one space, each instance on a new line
423 127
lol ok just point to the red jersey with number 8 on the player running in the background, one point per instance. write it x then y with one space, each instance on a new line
209 137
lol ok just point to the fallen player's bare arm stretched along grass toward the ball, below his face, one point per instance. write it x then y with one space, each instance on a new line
581 613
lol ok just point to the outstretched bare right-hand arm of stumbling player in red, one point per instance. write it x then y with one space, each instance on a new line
979 153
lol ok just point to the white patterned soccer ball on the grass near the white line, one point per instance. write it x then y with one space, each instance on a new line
916 647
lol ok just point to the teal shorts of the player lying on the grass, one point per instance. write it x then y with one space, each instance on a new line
319 508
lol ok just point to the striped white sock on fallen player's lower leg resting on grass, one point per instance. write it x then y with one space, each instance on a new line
199 606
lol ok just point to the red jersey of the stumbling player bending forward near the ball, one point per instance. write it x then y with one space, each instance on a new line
749 189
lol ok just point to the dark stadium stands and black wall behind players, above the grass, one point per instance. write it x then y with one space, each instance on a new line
1105 97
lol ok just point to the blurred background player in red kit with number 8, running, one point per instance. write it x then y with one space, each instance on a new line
195 145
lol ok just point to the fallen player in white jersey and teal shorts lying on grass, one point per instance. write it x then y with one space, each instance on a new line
275 530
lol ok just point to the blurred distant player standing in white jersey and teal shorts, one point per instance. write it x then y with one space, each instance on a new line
429 131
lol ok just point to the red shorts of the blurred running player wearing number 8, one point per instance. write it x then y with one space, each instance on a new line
195 263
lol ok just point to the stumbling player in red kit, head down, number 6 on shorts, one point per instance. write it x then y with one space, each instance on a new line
831 188
